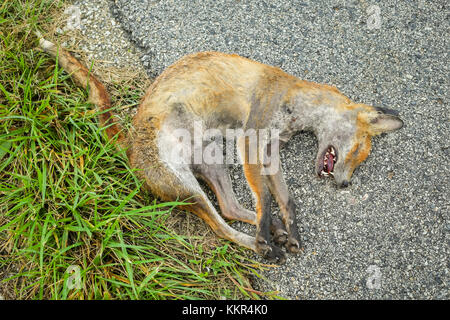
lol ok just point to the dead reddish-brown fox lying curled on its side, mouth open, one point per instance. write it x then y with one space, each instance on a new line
226 91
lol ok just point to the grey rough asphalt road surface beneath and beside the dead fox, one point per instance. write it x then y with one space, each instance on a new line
387 235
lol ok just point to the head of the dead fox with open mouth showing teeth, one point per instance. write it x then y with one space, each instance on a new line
345 138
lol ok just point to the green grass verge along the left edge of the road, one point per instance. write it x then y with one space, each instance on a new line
69 201
